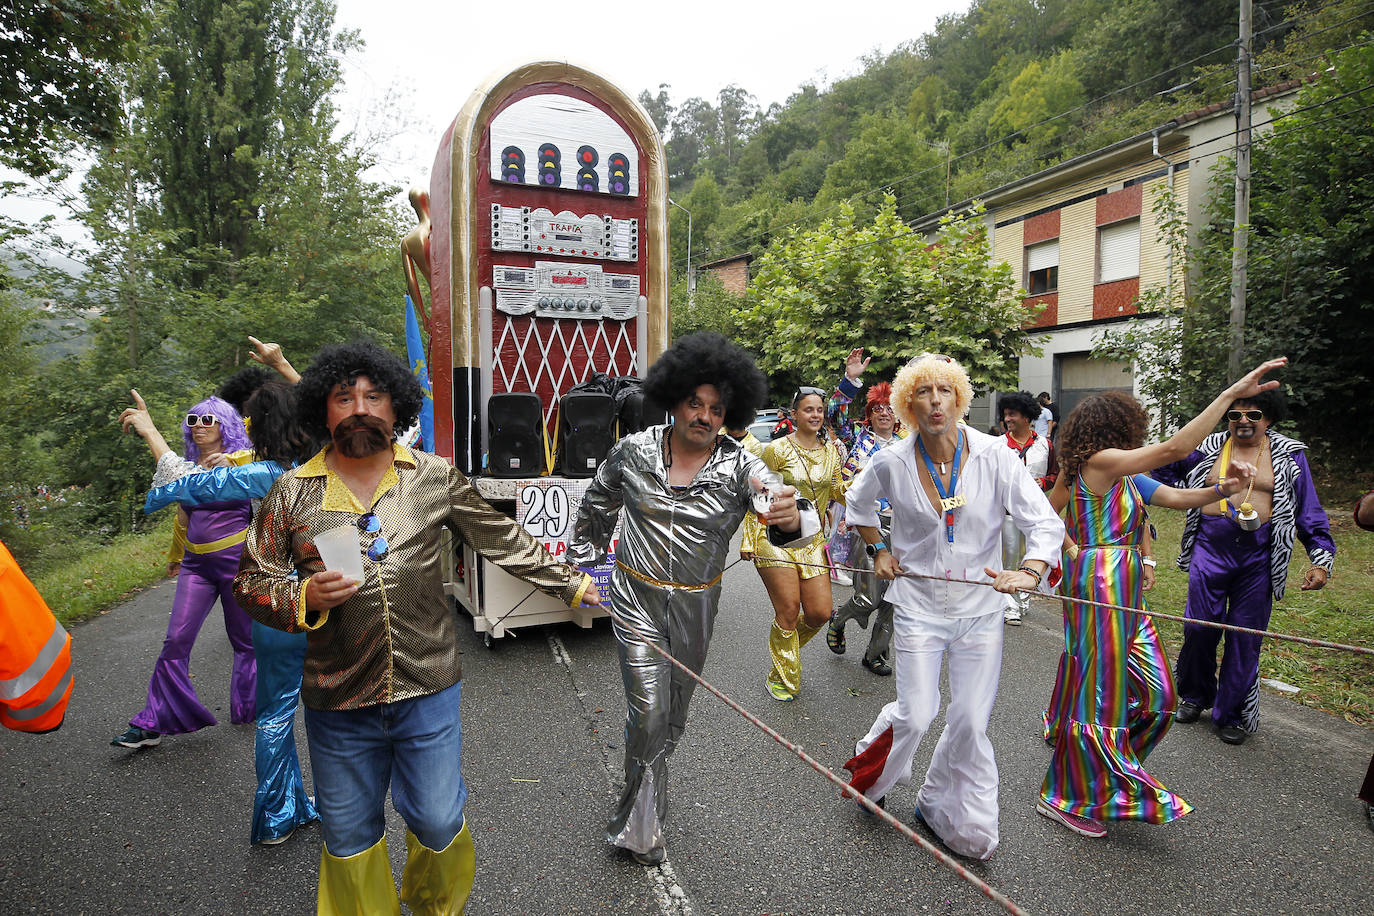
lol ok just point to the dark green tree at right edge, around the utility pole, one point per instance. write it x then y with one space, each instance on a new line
1311 257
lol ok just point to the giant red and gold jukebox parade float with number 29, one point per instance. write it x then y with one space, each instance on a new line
543 244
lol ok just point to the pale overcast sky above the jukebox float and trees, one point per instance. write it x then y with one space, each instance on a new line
435 53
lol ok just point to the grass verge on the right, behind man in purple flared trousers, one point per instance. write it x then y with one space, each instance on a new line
1335 682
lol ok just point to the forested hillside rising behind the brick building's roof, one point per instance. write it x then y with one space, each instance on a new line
995 94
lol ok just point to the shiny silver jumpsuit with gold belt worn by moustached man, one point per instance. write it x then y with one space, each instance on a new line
674 549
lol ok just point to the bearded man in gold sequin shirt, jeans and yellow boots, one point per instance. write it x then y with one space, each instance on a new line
383 675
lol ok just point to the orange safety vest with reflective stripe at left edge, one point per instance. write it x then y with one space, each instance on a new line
35 656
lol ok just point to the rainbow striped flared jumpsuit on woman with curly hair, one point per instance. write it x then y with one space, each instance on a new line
1115 697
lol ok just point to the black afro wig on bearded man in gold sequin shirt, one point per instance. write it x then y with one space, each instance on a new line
343 363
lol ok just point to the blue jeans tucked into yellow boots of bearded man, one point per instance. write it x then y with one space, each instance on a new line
413 746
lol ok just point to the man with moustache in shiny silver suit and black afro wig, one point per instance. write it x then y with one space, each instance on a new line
679 492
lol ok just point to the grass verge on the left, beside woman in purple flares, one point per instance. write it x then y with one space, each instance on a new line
108 575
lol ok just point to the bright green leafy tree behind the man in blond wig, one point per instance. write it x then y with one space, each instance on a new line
820 293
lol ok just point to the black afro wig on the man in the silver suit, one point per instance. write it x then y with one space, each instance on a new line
708 359
